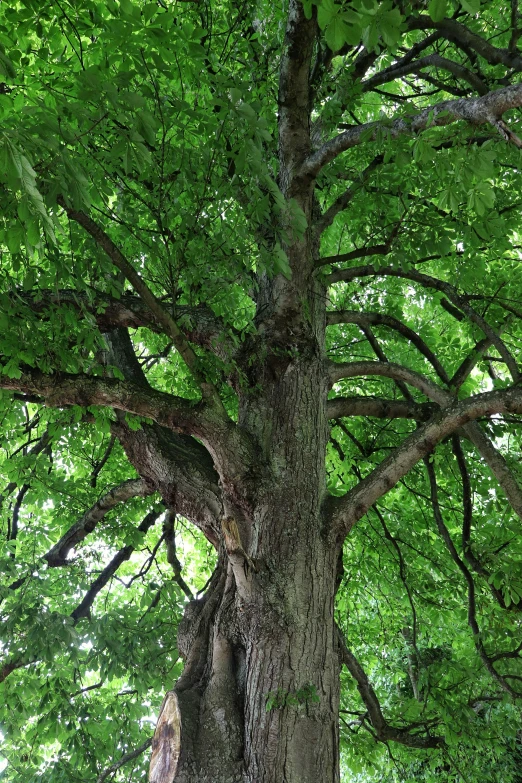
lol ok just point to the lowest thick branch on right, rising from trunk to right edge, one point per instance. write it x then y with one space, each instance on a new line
352 506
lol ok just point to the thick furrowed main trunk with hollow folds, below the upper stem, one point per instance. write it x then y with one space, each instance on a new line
258 701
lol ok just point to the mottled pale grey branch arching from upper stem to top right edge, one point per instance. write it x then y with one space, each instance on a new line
477 111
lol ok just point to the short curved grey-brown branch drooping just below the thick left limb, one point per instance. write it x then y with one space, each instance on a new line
57 555
